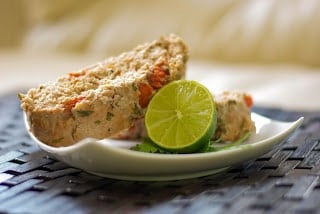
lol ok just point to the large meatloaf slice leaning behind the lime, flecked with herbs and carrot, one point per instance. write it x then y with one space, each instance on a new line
101 100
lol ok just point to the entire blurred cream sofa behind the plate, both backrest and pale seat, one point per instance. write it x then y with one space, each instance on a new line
270 48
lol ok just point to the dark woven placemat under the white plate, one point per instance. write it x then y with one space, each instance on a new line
285 180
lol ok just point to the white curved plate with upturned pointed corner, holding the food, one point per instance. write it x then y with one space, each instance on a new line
114 159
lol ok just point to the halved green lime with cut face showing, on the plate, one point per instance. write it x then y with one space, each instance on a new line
181 117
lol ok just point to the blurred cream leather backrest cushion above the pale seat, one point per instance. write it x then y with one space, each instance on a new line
233 30
